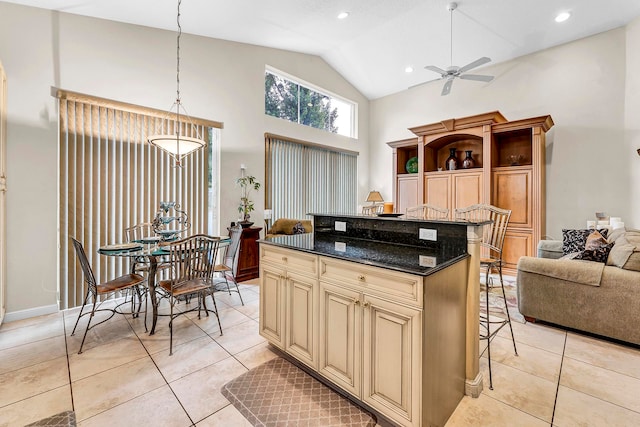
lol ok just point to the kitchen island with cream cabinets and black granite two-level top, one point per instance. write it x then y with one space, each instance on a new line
378 308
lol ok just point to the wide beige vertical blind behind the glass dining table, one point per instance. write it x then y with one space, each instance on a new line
111 179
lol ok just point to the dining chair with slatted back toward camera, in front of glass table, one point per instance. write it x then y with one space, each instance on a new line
192 261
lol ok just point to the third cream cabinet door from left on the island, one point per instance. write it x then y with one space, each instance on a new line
340 336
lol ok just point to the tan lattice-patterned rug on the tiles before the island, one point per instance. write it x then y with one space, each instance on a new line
278 393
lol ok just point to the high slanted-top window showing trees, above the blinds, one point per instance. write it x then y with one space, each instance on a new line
291 99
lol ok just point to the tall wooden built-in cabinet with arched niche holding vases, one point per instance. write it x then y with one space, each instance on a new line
508 172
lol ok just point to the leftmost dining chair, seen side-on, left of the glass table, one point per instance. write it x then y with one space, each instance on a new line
128 282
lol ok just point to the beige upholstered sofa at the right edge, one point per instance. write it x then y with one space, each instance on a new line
595 297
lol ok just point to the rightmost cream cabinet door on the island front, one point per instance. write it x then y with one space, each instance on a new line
392 357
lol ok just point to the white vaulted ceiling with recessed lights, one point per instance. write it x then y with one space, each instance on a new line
379 39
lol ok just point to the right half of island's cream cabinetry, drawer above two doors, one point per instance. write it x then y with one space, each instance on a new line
365 333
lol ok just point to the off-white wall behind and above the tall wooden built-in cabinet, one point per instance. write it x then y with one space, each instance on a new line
580 84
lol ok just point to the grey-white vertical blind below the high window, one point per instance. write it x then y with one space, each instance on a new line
302 178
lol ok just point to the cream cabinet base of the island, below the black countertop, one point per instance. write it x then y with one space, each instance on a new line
363 329
